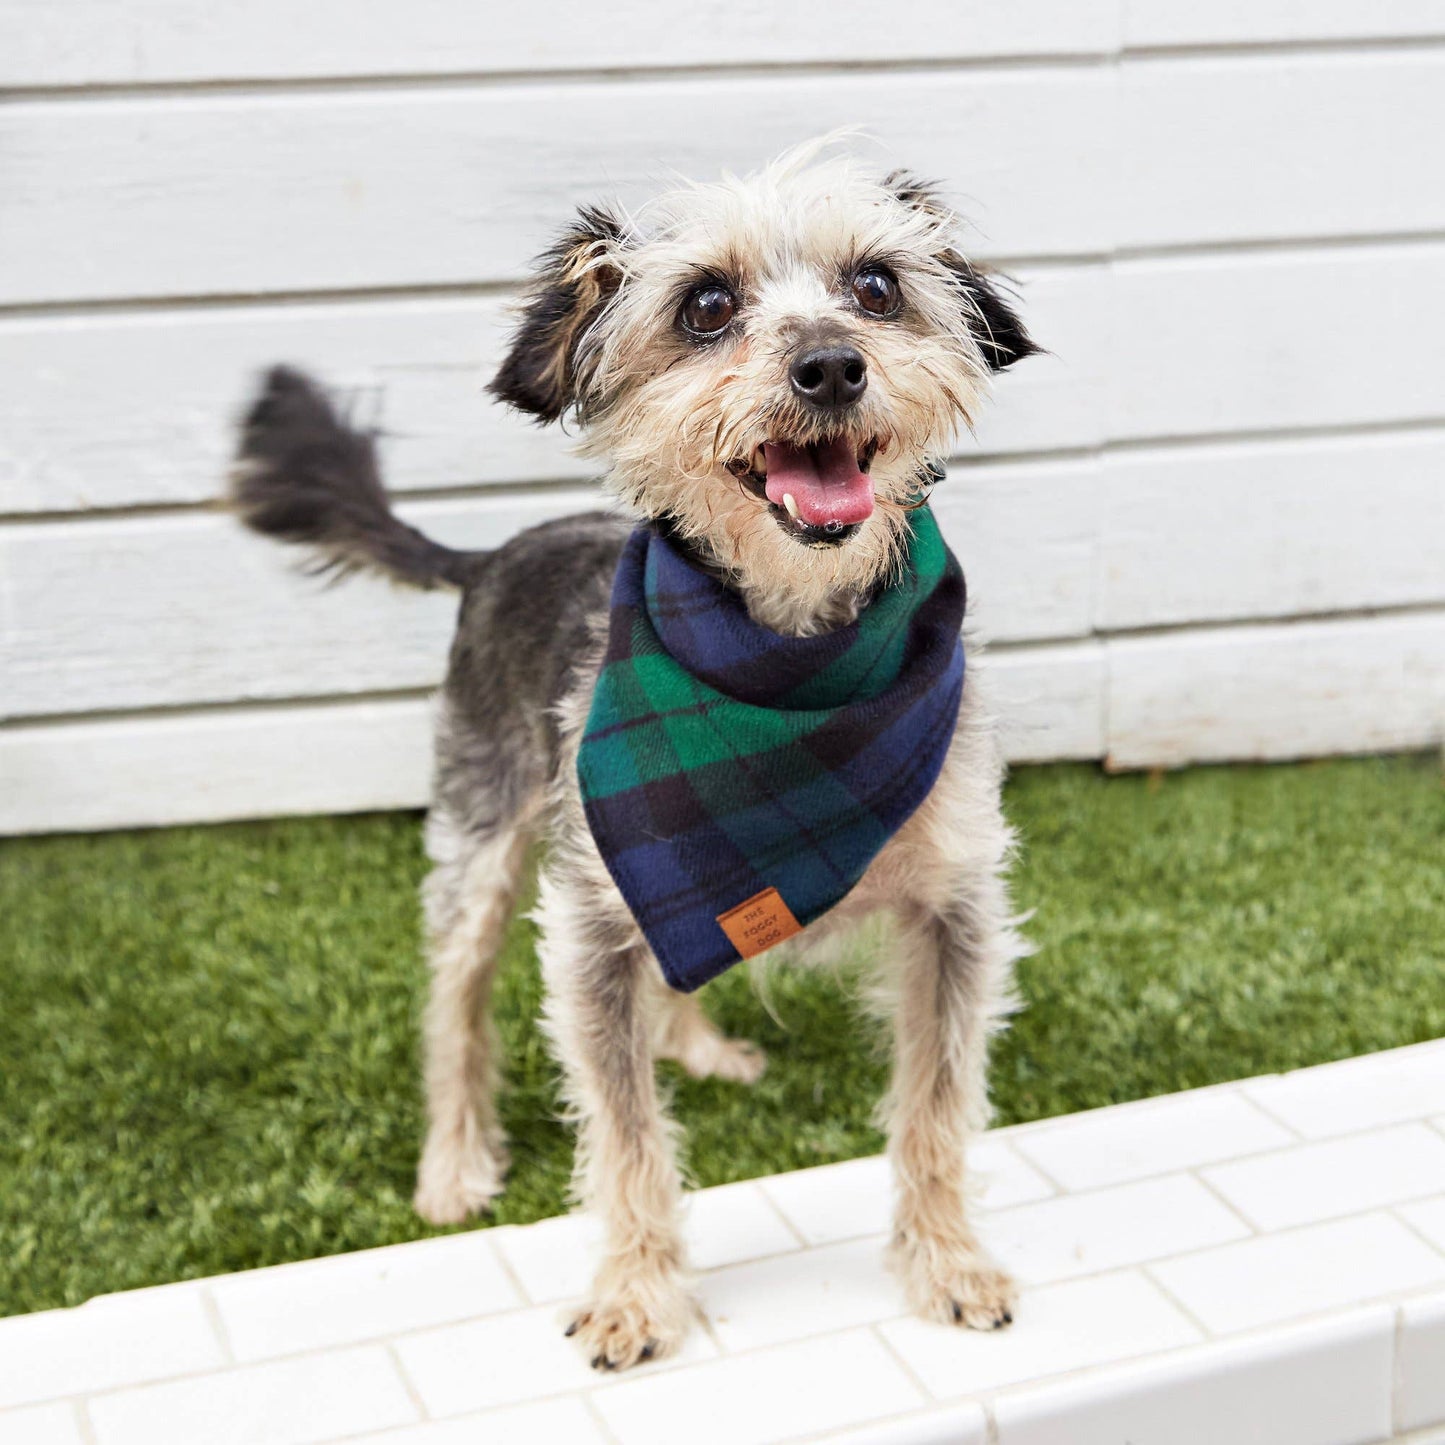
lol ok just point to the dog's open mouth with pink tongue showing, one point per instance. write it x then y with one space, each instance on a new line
821 492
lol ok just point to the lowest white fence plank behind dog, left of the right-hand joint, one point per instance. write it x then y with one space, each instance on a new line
356 756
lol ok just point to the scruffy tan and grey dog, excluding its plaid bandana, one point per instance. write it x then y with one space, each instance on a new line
767 368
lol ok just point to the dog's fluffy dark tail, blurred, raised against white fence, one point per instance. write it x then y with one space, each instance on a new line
304 476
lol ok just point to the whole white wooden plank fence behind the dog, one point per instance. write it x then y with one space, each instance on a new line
1212 525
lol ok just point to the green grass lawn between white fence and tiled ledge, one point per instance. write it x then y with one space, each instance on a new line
209 1035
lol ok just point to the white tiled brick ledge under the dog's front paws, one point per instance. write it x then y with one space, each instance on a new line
1261 1264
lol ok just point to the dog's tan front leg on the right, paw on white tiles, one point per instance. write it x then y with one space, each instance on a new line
952 965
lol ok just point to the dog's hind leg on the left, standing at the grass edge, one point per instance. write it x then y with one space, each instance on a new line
469 901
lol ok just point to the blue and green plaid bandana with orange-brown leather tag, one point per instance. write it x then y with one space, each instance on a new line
741 782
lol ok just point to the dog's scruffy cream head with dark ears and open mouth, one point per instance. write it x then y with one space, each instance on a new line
769 363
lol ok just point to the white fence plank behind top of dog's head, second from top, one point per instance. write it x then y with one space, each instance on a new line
462 184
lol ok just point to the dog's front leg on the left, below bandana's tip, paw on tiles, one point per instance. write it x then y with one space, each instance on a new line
599 1021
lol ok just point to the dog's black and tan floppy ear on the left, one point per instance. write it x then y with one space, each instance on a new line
574 281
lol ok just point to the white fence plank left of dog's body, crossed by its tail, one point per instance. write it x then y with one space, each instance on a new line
163 612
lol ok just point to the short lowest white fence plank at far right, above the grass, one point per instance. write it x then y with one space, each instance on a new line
1282 691
